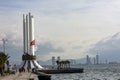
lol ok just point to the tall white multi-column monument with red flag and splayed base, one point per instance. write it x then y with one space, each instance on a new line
29 57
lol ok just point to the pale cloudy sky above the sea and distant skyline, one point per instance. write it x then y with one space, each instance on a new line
70 29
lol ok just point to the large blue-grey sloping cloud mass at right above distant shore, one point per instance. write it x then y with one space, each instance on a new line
107 48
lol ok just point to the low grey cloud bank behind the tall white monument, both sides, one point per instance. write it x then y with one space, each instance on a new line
14 47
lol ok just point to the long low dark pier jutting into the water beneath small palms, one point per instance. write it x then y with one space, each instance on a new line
60 71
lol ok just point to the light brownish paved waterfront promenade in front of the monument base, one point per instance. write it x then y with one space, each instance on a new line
20 76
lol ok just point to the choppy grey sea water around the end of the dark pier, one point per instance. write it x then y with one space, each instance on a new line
92 72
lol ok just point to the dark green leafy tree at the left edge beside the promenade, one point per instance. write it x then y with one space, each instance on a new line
3 60
